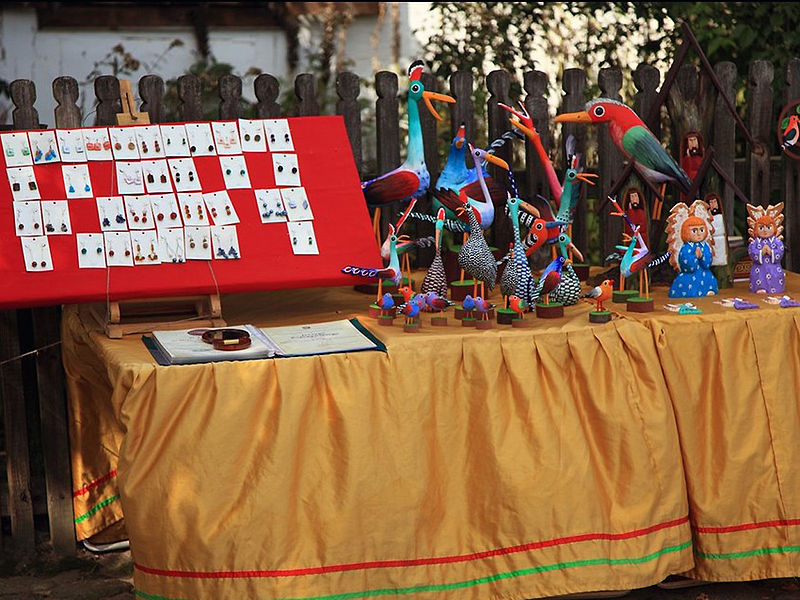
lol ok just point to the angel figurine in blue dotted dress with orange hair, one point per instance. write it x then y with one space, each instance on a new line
690 237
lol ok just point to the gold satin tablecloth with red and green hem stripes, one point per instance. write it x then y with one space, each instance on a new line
499 464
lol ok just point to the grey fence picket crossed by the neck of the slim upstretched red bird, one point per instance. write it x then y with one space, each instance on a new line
535 84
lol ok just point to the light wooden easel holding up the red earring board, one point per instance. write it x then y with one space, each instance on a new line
140 315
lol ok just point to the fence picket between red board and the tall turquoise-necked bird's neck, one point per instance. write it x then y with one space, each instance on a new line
387 117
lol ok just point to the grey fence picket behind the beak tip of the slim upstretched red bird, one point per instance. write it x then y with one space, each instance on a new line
498 83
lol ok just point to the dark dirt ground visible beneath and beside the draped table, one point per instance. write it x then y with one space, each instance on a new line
110 577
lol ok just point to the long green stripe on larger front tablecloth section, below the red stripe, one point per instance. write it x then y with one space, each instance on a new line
435 587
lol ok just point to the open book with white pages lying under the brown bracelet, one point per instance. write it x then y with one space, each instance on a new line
187 347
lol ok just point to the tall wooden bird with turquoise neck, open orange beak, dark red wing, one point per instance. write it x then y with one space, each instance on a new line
411 179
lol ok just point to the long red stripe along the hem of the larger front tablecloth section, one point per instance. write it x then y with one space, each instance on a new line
415 562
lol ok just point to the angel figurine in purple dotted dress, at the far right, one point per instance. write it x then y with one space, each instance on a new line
765 228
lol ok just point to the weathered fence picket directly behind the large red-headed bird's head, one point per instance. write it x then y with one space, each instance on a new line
611 165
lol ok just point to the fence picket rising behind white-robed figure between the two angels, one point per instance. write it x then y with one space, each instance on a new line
724 136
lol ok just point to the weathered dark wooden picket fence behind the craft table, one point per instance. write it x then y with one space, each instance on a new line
33 391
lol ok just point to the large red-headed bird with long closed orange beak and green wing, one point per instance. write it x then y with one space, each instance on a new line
634 139
